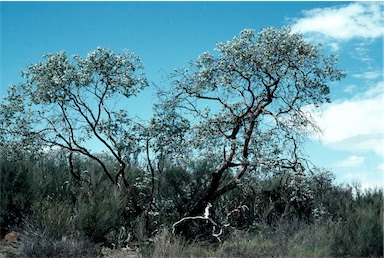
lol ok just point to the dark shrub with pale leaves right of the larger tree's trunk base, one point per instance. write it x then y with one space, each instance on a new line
277 196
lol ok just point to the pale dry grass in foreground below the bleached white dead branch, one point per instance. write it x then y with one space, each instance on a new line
287 239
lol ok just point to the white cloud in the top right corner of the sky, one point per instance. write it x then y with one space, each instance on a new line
356 20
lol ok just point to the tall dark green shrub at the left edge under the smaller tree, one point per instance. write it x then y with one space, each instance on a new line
28 181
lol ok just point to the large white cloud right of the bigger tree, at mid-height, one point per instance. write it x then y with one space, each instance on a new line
355 124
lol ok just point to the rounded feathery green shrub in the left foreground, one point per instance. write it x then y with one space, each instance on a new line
50 232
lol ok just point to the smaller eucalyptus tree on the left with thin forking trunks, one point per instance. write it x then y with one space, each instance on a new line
70 102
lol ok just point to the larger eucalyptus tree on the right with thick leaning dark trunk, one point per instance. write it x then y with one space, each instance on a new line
247 104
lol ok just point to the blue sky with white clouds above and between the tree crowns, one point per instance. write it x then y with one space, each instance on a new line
167 35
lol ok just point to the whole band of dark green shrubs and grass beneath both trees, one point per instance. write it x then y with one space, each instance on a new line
271 215
